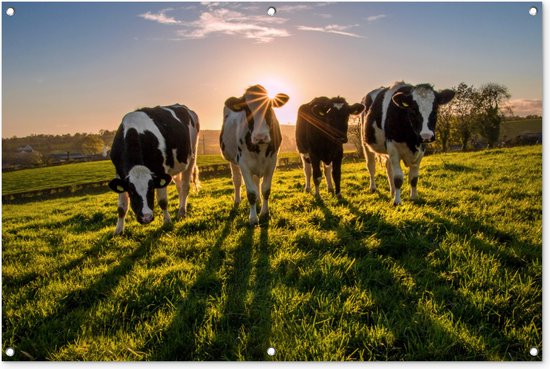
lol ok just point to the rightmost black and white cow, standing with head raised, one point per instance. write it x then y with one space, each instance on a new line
397 123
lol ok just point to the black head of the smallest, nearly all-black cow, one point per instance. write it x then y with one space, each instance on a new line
335 114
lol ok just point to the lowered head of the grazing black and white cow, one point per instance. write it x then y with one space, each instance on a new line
140 185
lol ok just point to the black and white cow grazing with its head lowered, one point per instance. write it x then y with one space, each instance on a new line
152 146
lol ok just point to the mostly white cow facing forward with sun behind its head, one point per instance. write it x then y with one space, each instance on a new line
250 141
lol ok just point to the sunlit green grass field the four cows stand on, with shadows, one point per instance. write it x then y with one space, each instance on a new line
456 275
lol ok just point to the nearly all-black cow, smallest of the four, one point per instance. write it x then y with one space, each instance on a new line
321 131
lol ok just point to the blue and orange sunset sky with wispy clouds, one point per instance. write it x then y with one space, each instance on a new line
80 67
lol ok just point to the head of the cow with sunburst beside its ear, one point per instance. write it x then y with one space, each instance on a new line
259 111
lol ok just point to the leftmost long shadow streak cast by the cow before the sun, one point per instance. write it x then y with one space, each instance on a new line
180 341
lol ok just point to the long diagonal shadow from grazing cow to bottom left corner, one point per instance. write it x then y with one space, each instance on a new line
42 337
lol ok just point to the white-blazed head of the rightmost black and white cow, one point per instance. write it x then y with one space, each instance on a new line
421 104
